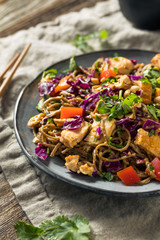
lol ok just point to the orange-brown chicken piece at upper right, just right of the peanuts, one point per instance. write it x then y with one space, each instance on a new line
146 91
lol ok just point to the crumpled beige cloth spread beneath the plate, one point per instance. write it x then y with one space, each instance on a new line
41 196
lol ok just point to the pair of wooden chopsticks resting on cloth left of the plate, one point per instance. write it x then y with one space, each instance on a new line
14 64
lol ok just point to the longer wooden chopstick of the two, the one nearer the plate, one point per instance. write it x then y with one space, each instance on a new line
16 65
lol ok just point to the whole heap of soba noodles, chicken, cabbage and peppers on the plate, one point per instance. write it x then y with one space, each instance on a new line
103 120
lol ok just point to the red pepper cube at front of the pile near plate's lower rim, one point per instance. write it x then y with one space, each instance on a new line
128 176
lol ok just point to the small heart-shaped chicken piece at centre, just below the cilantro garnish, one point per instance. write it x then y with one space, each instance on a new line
108 127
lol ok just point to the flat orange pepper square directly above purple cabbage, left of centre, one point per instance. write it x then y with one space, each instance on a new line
67 112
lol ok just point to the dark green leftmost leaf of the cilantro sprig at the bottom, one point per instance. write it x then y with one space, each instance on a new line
27 232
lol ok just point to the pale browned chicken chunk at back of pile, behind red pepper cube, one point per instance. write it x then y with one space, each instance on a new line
123 65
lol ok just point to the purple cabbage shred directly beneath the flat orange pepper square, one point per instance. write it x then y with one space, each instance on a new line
73 124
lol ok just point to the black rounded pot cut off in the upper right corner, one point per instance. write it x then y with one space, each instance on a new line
144 14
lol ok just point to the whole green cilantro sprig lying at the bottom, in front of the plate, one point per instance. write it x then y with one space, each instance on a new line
57 229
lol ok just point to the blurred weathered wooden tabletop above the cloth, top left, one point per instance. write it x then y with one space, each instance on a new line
22 14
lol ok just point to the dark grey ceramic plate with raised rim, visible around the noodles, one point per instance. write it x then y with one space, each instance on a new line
25 107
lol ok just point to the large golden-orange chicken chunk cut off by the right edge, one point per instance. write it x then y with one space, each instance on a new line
150 144
